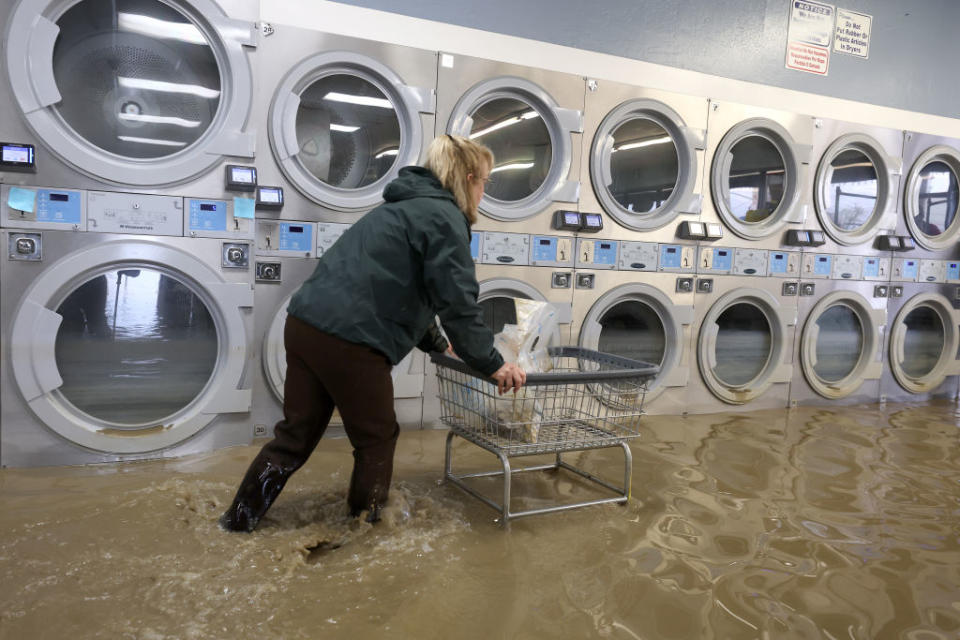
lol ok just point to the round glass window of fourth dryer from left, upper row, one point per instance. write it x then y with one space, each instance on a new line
643 164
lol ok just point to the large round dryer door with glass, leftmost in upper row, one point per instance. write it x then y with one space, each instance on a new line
133 92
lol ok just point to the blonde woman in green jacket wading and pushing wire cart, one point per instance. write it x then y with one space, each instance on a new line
371 299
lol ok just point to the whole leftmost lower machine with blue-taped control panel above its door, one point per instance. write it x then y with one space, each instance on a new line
127 343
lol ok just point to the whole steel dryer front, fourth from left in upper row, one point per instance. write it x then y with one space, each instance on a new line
644 162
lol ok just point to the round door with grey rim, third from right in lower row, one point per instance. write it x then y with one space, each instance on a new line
743 346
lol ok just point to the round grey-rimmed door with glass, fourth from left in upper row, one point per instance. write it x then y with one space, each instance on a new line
643 165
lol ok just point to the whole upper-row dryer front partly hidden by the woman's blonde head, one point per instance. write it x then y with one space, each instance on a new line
532 120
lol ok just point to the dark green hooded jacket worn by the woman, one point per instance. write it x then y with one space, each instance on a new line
383 281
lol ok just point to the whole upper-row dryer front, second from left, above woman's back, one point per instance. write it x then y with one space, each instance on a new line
342 116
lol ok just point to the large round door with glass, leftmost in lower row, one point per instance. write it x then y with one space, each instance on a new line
131 346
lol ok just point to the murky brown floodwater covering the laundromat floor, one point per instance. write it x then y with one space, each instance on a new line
809 523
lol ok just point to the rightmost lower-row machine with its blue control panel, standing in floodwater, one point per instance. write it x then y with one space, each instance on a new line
921 350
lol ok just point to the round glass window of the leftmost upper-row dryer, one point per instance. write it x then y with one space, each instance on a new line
137 78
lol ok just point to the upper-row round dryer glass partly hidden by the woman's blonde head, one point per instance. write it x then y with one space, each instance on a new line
521 145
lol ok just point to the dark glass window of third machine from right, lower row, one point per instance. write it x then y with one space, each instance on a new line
743 344
